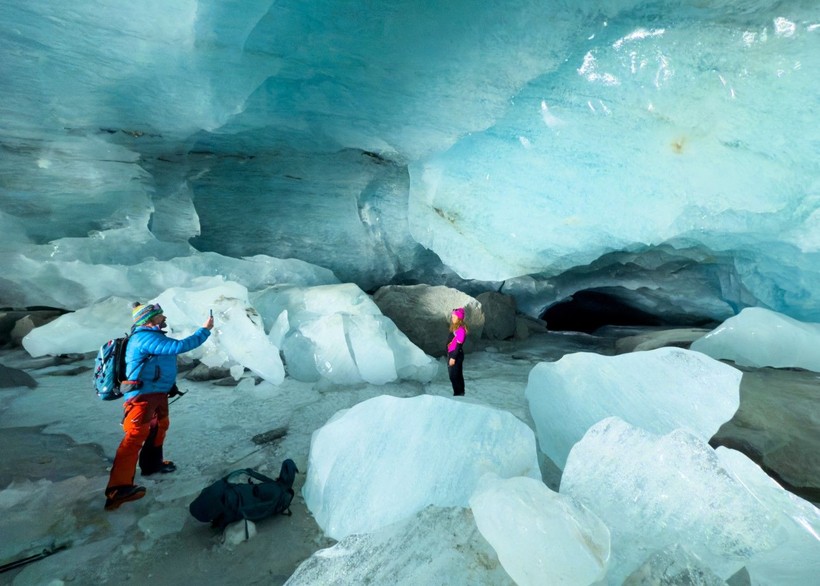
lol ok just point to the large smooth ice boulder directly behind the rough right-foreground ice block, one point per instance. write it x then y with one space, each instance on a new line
658 390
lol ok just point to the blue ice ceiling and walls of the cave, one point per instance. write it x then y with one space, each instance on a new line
534 140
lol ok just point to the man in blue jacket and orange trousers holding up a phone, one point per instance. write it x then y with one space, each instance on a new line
151 372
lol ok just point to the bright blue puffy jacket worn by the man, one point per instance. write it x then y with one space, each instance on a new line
151 357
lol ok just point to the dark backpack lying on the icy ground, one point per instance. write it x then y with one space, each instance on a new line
226 501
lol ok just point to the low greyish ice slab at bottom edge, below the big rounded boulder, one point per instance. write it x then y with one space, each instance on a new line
436 546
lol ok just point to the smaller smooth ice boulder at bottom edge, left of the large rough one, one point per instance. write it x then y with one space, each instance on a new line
540 536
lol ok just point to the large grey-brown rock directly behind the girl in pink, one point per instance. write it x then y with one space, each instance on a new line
422 313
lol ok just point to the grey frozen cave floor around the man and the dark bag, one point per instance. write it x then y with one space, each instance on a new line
58 440
